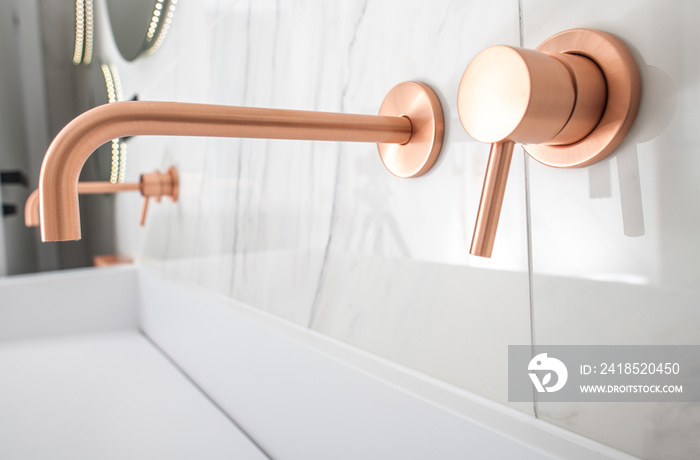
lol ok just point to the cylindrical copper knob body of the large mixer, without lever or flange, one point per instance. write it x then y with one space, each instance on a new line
526 96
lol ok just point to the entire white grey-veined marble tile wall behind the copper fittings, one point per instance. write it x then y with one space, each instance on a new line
320 234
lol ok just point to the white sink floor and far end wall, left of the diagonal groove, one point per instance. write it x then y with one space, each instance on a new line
78 379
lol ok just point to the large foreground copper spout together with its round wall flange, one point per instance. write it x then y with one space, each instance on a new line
408 130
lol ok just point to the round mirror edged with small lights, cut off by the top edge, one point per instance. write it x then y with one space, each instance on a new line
139 26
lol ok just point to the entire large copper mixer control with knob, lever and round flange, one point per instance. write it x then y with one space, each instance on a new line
571 102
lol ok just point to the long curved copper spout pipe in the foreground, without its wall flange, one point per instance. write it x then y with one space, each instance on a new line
70 149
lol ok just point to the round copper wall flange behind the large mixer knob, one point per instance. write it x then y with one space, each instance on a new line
623 87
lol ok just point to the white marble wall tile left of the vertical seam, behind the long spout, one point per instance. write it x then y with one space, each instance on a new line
320 233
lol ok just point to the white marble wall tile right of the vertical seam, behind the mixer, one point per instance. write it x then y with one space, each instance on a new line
615 247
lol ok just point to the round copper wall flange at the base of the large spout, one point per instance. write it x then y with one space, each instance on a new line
419 103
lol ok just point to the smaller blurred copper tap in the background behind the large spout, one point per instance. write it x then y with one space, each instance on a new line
154 185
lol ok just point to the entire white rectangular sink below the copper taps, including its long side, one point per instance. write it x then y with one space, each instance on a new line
125 363
